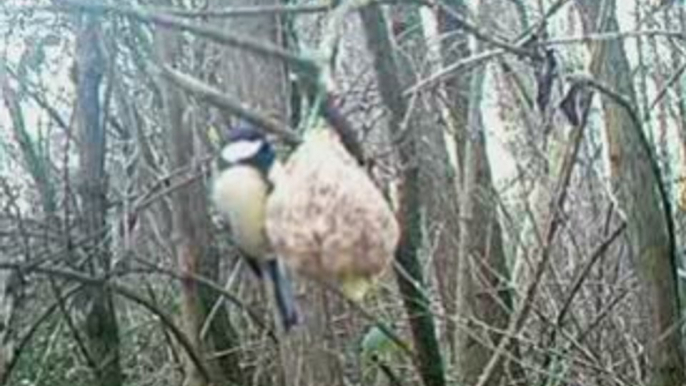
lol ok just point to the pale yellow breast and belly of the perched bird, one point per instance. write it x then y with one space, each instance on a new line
240 194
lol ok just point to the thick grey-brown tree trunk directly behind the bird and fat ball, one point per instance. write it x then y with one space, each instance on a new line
304 355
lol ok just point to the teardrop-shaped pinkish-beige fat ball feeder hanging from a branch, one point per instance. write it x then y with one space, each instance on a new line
327 219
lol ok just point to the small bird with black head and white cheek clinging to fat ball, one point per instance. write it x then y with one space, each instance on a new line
240 188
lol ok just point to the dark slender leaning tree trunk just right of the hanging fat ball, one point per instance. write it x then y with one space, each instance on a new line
409 277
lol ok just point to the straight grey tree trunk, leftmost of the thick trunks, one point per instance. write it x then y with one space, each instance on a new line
101 328
